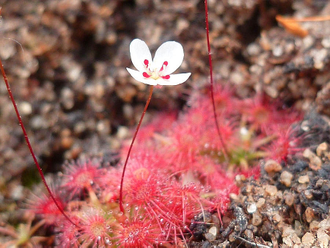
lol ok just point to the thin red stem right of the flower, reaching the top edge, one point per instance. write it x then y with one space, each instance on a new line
225 151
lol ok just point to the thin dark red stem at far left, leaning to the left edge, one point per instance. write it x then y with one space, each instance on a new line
4 75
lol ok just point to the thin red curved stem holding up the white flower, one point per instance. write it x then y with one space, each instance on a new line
130 149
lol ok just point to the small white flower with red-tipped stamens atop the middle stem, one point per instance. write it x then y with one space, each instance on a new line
168 58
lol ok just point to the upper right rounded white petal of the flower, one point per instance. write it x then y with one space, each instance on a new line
172 52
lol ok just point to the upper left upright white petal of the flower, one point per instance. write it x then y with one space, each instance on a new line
139 52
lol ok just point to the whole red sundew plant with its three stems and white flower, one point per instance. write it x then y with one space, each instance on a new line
176 171
